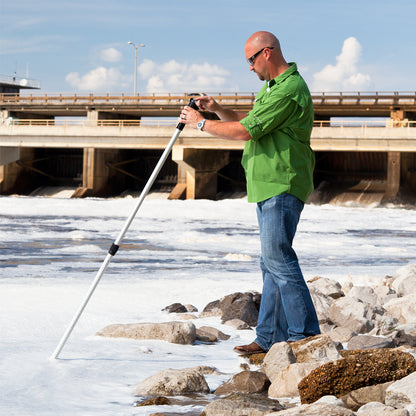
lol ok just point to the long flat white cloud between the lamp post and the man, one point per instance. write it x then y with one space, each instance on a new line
173 76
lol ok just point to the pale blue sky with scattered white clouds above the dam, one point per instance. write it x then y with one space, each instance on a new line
194 46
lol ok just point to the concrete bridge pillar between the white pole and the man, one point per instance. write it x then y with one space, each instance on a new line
201 168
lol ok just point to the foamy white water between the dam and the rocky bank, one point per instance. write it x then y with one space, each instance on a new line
175 251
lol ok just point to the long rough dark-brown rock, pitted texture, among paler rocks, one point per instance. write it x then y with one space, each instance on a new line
355 370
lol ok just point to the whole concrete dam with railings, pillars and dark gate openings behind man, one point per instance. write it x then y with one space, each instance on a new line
104 145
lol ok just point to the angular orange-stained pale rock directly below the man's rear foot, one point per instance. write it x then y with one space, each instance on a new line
319 348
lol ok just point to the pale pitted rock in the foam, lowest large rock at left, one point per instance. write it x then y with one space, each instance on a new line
173 382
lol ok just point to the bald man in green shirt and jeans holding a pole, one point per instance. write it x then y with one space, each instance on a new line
279 163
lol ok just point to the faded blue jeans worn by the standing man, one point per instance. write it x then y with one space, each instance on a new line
286 311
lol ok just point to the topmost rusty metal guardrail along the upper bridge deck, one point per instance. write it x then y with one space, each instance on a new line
321 98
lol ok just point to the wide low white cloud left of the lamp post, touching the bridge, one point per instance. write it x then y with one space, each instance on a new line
100 79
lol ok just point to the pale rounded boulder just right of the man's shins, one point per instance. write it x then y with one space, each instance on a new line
352 314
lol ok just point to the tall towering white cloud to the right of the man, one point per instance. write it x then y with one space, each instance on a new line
344 76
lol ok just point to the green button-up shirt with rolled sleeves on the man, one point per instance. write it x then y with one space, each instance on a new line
278 158
